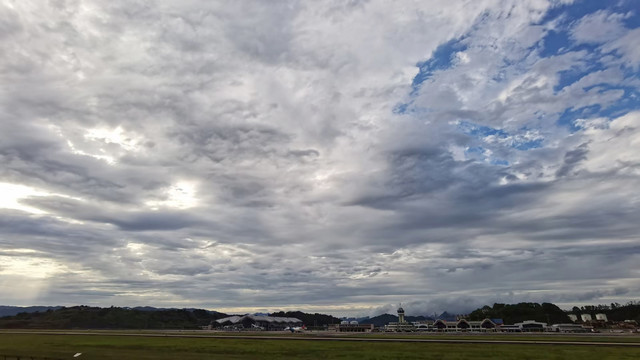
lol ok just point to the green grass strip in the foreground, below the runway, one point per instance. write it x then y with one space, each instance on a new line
122 347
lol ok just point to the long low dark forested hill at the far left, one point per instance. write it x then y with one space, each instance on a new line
85 317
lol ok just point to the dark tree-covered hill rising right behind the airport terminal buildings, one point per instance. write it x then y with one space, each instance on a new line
514 313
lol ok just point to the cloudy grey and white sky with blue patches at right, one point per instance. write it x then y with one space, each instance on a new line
326 156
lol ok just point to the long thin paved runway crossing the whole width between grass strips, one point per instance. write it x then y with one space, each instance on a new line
333 338
